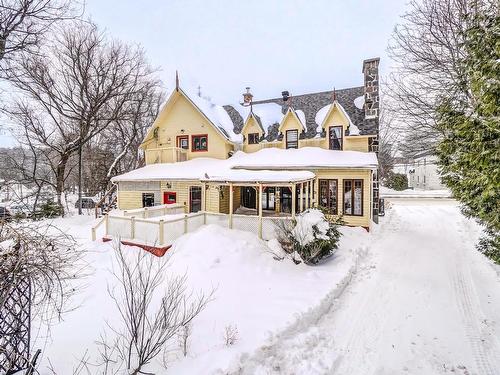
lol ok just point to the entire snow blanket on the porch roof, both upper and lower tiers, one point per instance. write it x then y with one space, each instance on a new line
263 166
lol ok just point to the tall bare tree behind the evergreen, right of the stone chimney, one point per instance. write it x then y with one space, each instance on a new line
426 48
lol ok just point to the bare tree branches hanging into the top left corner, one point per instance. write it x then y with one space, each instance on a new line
23 23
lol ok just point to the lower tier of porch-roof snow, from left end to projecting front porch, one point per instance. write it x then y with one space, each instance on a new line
209 169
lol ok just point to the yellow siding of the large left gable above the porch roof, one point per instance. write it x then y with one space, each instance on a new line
178 118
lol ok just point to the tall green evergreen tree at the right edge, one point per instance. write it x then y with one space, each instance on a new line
469 153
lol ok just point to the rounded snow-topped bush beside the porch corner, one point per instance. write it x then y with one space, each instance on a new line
311 236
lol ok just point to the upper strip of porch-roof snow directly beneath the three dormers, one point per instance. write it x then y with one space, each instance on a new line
304 158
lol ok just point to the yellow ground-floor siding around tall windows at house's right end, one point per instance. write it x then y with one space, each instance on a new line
340 175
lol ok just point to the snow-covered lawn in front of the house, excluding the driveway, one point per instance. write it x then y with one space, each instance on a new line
254 292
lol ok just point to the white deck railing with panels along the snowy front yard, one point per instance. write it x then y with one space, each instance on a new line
163 232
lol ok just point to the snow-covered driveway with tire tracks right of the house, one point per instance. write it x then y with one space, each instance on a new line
424 302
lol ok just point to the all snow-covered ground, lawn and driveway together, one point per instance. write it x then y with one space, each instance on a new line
423 301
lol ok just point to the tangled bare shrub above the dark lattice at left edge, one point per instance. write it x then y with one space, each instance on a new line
44 255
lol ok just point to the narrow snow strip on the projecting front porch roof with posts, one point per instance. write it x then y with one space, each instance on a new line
259 176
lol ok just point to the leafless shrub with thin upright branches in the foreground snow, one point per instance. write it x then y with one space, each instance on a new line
153 310
